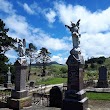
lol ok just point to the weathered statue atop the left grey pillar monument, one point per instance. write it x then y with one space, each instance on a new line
21 47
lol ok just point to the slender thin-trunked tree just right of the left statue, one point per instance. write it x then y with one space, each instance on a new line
30 51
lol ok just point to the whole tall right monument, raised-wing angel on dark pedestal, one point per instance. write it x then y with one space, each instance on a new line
75 97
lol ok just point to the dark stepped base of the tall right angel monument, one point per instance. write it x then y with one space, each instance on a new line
75 101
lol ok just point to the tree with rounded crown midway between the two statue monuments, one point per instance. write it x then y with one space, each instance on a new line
44 57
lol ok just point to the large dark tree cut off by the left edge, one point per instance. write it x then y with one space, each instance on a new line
6 43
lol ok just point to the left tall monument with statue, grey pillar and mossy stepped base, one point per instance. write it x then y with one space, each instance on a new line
19 96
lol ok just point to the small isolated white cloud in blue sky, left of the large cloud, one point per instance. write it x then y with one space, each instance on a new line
50 16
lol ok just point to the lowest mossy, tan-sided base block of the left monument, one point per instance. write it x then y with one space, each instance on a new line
18 104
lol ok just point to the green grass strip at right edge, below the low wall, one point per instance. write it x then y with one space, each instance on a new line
98 96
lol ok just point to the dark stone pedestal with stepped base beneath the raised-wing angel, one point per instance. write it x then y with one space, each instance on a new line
75 96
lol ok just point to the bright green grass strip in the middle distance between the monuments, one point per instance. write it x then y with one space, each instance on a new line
53 81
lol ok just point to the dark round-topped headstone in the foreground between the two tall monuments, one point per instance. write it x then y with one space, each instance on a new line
55 97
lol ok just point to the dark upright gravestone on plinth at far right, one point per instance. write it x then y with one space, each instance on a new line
102 81
